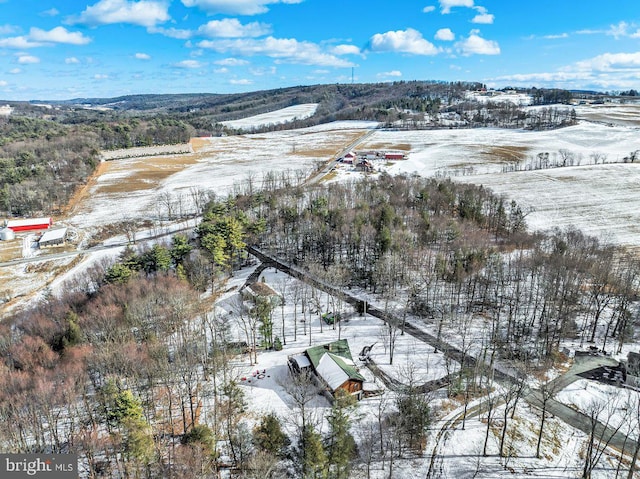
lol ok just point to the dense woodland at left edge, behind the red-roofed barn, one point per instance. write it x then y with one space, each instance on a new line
43 160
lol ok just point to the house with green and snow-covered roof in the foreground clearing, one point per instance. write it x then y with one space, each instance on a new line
333 365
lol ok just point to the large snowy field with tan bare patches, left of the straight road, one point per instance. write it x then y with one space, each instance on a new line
132 188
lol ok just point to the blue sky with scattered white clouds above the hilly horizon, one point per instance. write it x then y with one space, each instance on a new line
61 49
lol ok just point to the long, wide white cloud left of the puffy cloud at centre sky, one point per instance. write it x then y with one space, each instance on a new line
287 50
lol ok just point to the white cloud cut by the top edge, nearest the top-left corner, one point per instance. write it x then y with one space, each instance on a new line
146 13
